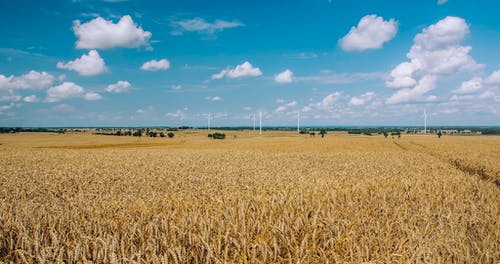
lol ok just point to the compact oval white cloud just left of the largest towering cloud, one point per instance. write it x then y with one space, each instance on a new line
370 33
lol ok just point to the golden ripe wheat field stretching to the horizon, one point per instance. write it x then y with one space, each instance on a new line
276 198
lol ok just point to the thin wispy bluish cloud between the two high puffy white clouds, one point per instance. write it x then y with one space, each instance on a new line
201 26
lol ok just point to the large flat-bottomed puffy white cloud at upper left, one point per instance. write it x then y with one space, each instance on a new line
104 34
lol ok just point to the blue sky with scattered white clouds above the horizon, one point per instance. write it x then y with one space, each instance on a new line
170 63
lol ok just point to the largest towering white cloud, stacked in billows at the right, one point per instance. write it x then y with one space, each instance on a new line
435 52
